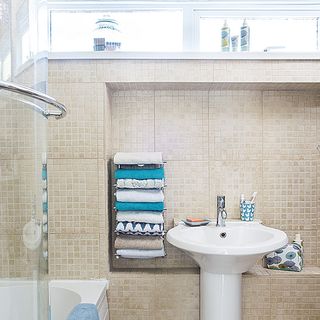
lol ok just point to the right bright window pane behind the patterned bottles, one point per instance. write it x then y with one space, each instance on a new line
266 34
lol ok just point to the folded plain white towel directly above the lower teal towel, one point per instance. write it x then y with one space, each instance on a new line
140 195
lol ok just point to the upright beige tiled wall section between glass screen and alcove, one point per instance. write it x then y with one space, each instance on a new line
77 194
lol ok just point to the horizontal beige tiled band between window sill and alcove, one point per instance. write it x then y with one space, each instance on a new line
130 73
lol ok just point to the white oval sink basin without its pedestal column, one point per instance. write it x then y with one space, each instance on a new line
231 249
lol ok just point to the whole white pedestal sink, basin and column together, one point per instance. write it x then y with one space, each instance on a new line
223 254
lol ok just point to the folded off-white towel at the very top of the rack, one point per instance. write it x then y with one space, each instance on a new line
138 158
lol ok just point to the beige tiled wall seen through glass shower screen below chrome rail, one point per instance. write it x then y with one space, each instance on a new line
20 183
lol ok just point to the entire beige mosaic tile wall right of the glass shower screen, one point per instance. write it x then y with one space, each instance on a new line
215 141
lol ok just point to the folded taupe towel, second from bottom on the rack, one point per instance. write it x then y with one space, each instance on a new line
138 242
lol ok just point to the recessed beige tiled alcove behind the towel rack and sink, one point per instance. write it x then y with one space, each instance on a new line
225 138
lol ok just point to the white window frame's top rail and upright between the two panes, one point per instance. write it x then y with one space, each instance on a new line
193 11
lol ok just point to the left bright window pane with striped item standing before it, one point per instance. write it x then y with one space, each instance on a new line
145 30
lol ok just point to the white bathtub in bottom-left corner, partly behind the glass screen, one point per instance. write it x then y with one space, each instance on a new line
16 298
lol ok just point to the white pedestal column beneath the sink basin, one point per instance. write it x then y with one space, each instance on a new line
220 296
